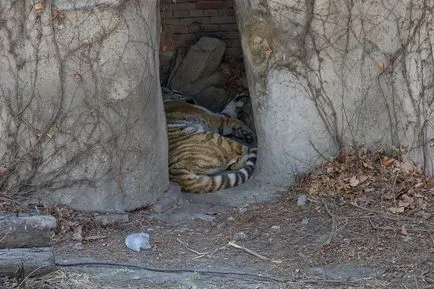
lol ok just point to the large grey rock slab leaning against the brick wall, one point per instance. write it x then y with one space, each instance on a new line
202 60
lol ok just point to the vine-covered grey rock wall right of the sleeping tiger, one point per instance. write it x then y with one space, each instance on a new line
327 74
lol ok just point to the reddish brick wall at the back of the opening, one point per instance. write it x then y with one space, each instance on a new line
183 22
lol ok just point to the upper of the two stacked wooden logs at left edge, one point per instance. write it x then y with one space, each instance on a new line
26 231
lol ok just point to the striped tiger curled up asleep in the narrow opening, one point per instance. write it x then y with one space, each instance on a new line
208 151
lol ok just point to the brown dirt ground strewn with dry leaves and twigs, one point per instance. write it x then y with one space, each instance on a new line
349 234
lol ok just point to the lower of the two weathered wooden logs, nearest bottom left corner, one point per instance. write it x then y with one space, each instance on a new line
36 261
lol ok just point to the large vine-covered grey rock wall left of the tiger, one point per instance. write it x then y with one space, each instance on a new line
81 116
